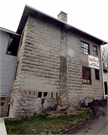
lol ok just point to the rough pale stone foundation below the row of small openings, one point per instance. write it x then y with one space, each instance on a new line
24 105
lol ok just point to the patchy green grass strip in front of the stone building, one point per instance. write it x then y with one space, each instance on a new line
44 123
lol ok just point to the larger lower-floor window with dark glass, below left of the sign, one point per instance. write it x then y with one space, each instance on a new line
86 75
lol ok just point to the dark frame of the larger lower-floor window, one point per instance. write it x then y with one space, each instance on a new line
84 75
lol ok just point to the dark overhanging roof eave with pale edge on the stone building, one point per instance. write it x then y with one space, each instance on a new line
29 11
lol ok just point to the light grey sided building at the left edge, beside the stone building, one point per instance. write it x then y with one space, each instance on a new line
8 51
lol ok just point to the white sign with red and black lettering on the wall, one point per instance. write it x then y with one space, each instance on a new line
93 62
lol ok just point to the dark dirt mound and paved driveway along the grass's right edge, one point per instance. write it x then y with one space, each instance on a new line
97 124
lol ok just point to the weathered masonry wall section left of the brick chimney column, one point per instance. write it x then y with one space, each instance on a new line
39 66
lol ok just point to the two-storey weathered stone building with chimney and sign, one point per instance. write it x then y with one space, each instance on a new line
57 65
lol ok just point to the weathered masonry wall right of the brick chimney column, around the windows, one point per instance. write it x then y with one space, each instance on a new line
76 89
